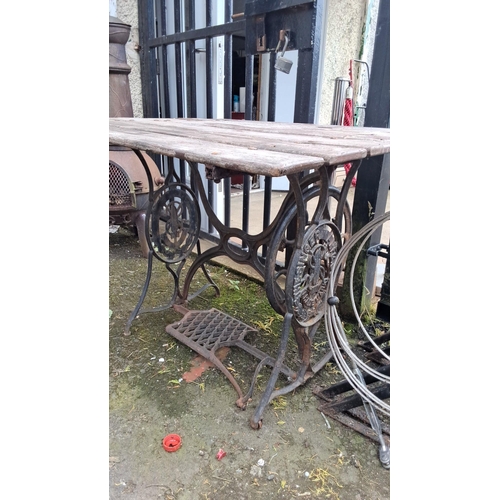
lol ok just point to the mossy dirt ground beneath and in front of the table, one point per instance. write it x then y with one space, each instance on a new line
298 453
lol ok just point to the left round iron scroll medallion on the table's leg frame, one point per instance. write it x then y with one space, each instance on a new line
174 221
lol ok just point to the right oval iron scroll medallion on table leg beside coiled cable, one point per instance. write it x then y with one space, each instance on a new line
309 272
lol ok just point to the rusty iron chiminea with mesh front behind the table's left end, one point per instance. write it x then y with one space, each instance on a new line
129 182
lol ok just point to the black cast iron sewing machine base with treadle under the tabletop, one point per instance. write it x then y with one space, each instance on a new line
172 217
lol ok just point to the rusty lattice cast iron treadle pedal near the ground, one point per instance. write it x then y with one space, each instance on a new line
207 331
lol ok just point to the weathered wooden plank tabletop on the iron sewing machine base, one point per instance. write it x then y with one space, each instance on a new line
254 147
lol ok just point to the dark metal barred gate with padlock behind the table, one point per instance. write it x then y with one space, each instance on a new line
193 52
